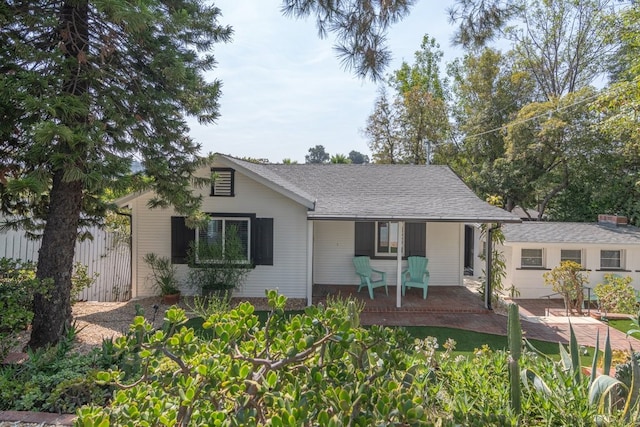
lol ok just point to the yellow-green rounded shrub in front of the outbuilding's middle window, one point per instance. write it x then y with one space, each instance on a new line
568 280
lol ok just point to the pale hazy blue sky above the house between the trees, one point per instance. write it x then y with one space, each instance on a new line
285 91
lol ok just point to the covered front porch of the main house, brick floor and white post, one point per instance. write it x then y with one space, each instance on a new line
332 245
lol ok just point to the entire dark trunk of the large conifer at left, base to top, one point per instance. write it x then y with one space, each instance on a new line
52 308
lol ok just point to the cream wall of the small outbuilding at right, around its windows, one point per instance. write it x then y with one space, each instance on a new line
530 283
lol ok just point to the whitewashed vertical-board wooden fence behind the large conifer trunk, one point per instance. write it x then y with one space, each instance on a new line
108 255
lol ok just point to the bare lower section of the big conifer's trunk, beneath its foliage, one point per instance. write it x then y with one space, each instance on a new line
52 309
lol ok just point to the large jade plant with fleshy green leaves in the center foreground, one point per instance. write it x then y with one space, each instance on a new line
316 367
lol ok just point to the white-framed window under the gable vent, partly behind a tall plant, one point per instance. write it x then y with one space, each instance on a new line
226 235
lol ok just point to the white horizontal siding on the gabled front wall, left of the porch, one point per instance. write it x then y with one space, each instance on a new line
152 233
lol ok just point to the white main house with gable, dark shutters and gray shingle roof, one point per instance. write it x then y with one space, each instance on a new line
304 223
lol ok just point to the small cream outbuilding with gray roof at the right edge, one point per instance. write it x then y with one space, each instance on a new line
533 247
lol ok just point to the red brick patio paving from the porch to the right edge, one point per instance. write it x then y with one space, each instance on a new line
460 307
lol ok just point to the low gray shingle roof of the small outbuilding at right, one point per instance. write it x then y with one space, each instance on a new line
571 232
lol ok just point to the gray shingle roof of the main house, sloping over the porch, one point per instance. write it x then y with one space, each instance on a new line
402 192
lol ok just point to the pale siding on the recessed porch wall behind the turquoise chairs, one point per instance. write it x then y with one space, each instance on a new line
334 247
